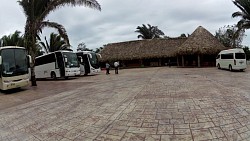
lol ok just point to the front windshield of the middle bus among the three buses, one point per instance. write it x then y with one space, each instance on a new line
72 60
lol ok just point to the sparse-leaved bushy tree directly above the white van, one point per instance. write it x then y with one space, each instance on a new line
230 36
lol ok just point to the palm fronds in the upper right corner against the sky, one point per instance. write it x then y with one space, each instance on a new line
244 6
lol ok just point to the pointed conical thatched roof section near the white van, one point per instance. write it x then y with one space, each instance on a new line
201 41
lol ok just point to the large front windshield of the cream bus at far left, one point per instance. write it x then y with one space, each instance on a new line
14 62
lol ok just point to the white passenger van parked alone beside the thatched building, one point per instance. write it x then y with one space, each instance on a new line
232 59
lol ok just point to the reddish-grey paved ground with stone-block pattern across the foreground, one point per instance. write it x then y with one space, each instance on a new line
151 104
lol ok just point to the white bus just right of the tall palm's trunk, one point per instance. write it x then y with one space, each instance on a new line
58 64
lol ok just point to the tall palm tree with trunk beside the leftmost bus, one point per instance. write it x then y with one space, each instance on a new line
36 12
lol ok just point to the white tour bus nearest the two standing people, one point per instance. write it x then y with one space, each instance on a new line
90 62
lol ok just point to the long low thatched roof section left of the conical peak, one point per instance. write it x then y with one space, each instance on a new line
141 49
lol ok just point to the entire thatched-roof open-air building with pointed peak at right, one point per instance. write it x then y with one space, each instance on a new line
199 49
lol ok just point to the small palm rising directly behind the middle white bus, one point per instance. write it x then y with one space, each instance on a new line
55 43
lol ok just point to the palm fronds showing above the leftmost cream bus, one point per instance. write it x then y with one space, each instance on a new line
12 40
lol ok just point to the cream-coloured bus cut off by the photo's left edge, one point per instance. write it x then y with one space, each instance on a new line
14 66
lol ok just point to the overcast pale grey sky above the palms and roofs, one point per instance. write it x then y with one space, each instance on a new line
118 19
